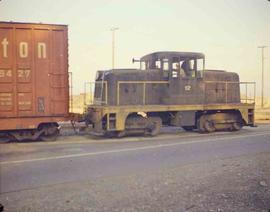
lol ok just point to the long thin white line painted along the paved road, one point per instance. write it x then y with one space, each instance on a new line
131 149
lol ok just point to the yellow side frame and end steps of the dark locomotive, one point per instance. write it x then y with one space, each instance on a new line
122 112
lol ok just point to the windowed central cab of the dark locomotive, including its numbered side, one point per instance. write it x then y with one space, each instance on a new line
182 70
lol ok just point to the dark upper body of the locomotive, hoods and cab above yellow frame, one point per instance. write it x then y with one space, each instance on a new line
181 84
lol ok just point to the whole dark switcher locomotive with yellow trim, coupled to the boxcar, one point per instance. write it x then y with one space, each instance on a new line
171 89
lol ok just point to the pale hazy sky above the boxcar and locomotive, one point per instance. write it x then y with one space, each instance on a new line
228 32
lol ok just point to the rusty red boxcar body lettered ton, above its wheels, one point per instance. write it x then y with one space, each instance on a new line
33 74
